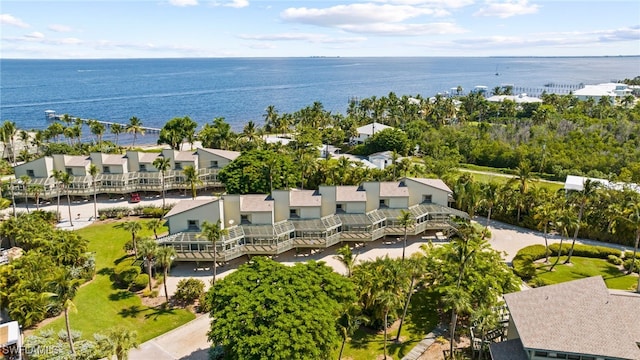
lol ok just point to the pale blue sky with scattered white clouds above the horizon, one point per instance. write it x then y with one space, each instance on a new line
51 29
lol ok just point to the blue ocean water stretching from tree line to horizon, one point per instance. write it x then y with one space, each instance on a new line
240 89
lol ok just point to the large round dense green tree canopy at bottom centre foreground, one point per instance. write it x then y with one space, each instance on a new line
266 310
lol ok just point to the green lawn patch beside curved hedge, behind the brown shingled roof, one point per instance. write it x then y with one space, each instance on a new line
586 267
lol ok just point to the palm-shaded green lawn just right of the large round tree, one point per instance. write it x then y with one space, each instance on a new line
421 319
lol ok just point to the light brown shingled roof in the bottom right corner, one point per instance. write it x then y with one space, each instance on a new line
579 317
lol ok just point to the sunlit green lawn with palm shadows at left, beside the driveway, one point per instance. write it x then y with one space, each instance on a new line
100 305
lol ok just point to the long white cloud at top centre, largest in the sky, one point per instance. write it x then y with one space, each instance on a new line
351 14
